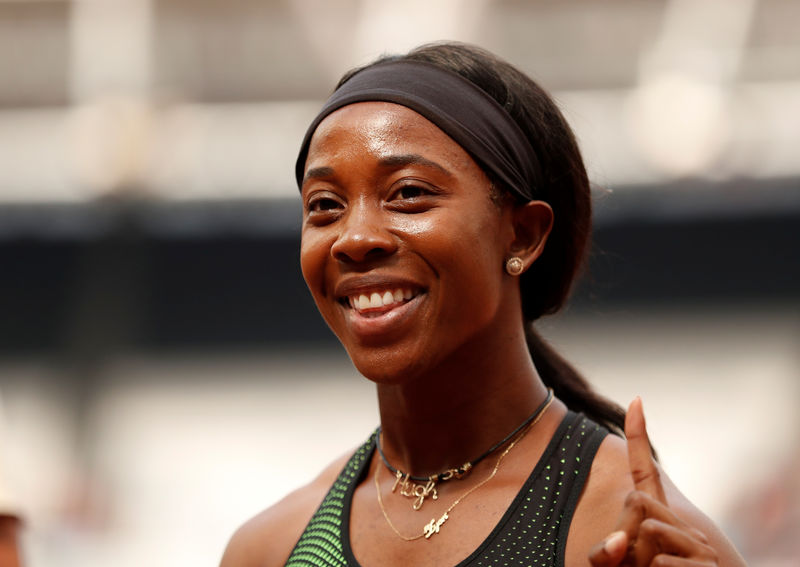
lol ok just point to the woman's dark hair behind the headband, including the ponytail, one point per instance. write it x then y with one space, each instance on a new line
565 187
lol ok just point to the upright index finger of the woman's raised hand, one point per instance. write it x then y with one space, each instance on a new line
644 471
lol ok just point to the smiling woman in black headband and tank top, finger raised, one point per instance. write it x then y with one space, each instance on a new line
446 207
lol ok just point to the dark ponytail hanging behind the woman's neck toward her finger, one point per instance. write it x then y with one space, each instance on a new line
569 386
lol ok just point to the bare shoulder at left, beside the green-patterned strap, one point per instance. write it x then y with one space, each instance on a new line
267 539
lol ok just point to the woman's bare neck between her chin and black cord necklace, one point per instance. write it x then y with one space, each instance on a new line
455 412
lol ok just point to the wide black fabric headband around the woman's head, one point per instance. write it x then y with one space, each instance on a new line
461 109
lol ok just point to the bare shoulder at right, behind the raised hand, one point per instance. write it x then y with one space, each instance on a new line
608 486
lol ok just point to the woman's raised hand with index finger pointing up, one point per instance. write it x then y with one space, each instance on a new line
648 532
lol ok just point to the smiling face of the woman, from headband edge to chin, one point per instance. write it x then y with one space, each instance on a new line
402 246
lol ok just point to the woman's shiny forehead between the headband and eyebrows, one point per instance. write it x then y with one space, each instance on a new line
382 129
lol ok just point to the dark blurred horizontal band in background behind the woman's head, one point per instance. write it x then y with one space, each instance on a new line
92 280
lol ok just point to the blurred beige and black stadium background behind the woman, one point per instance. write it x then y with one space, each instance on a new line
164 374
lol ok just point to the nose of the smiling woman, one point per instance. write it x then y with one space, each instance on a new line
364 236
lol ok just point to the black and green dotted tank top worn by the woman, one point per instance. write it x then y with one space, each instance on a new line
533 531
